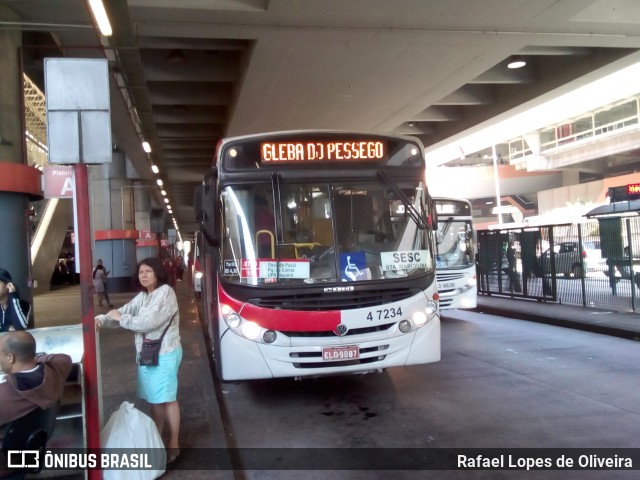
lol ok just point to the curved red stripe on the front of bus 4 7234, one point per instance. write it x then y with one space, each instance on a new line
283 320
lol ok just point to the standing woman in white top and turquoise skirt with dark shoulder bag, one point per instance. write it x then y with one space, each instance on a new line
147 315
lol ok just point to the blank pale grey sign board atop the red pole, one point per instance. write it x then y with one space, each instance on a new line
78 110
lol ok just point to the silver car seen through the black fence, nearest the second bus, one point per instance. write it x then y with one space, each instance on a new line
569 258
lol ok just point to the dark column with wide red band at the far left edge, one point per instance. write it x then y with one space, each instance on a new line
16 179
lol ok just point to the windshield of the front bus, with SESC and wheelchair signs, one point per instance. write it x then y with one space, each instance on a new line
324 232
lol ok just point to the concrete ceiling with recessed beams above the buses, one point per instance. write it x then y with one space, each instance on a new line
196 70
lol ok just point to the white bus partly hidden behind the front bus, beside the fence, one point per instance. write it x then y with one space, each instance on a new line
455 254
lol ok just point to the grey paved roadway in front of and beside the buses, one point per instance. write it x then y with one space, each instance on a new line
501 383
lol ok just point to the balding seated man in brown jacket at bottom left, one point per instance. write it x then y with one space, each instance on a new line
30 382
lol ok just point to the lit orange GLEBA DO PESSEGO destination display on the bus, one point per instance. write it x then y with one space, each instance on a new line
317 151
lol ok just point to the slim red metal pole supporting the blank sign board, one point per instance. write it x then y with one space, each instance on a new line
90 364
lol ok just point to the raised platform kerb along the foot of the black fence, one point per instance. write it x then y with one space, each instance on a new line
597 320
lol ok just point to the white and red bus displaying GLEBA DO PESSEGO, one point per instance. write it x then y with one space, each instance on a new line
318 255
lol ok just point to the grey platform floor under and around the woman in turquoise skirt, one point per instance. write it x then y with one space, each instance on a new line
201 422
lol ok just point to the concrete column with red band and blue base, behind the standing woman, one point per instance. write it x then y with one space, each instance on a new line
114 222
